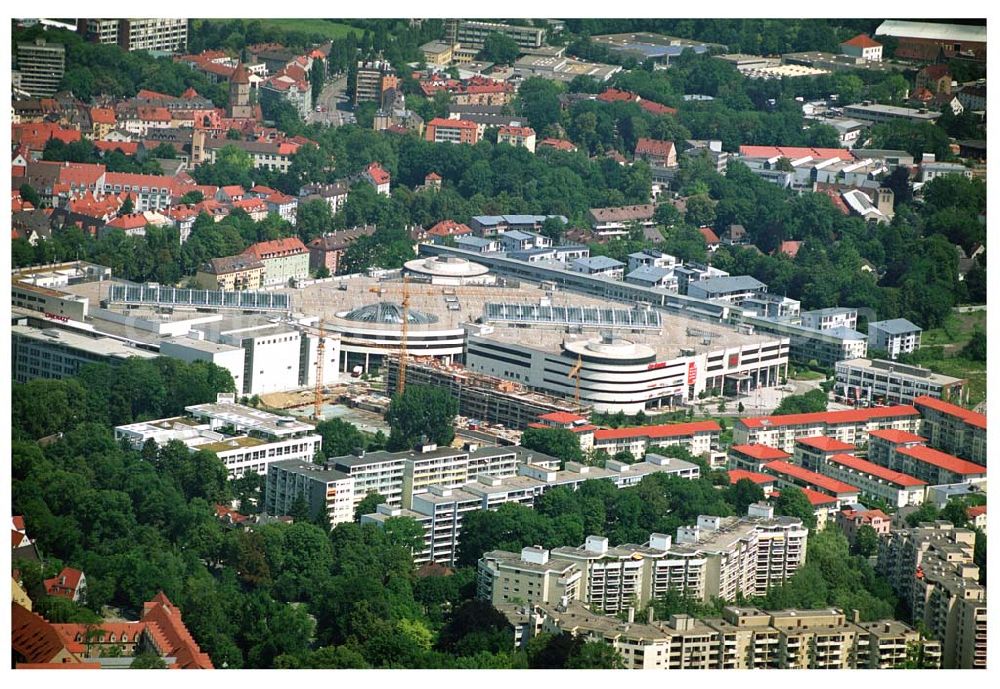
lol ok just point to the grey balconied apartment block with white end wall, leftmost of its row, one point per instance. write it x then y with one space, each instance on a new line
324 489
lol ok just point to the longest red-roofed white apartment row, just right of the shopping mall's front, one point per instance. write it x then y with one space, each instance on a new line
851 426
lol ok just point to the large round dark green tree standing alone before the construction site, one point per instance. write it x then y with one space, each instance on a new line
421 411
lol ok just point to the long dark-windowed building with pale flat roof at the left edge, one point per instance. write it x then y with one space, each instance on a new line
59 353
